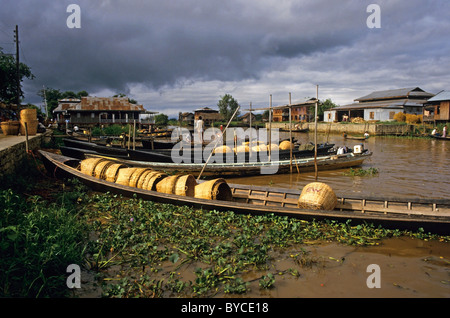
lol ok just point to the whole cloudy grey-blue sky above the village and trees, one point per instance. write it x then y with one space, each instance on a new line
176 56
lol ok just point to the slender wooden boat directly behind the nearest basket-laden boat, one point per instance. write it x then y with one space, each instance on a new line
252 168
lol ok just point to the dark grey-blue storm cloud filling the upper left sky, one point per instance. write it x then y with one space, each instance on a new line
160 42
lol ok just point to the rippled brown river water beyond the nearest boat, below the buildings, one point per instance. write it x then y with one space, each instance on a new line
408 167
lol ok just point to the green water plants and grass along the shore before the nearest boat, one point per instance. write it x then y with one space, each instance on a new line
140 248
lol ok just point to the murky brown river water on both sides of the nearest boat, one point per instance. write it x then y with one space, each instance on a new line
408 267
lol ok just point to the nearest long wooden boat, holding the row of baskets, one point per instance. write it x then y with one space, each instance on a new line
430 215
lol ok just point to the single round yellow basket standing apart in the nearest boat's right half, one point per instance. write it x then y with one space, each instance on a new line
317 196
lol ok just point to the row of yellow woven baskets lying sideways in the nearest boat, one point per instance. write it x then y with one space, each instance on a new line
148 179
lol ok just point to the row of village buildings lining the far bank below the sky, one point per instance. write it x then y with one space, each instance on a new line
378 106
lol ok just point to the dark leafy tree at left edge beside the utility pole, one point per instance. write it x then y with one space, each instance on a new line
8 78
